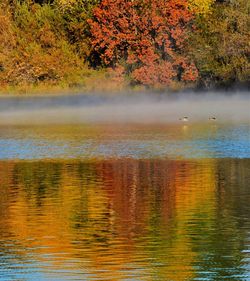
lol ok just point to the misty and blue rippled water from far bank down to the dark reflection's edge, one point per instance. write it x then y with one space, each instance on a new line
126 125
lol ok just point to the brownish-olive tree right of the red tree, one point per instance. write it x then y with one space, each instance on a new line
220 45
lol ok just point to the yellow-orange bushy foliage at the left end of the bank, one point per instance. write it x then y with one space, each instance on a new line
33 44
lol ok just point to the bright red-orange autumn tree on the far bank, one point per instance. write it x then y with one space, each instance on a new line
148 34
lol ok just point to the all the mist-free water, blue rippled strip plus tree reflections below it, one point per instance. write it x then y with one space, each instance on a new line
125 202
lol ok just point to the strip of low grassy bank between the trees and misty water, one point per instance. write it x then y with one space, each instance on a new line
103 86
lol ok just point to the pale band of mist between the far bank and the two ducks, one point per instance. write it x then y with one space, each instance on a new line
126 108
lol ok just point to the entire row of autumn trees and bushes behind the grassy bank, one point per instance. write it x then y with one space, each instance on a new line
155 43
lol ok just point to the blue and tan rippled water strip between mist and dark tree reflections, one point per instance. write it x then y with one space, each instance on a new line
198 140
